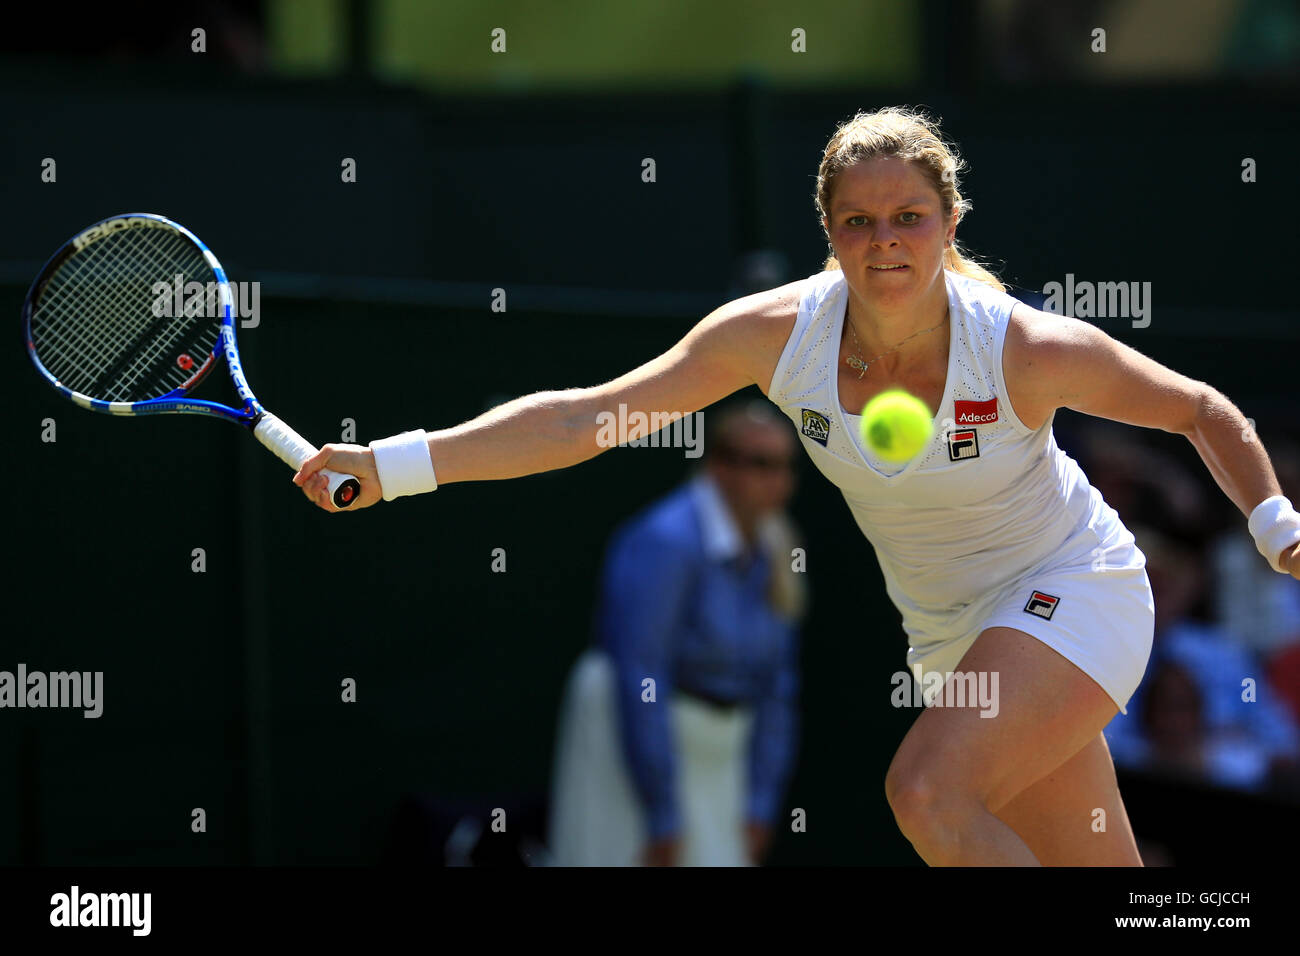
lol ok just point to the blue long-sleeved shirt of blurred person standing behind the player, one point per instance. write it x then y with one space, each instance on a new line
683 603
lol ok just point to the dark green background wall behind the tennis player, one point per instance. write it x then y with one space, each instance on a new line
223 689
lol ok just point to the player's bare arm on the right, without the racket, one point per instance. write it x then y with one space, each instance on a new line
1051 362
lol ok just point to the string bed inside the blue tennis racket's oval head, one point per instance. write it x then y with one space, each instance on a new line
96 327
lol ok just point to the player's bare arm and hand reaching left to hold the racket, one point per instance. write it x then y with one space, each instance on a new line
733 348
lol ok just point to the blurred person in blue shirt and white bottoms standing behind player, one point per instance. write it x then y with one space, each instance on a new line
699 596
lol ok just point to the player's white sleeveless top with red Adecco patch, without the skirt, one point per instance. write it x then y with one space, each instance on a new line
983 504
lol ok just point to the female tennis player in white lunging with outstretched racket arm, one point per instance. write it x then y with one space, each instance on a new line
998 552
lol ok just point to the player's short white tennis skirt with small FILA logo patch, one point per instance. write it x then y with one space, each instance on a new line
1094 607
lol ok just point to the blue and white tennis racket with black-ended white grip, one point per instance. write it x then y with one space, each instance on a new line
101 326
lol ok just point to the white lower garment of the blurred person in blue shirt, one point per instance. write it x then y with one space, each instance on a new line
597 817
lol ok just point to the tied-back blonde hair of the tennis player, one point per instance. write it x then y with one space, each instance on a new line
911 136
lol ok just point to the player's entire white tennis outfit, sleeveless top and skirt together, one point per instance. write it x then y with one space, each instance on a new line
993 524
